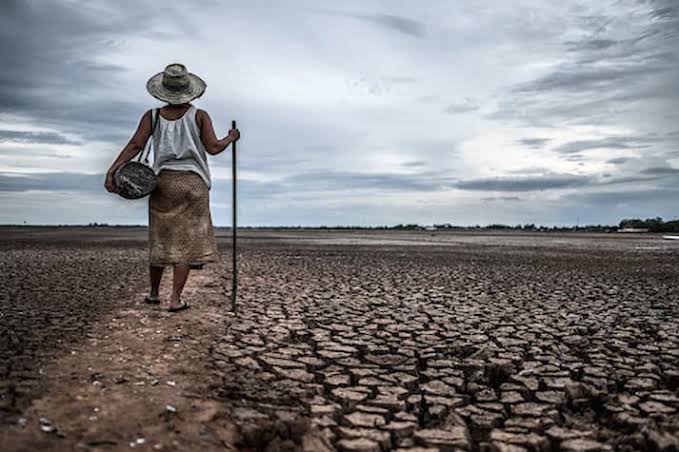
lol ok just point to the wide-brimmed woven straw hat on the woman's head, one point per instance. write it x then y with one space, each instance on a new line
175 85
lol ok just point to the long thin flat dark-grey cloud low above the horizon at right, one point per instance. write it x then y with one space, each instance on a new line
524 183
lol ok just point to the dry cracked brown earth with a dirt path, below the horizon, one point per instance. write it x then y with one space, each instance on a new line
359 341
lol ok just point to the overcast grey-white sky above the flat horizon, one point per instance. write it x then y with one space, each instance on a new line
356 112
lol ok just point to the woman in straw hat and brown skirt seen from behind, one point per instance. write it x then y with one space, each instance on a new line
180 224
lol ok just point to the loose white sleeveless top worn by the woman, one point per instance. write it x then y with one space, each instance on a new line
177 145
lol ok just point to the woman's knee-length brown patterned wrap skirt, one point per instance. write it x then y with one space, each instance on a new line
180 225
